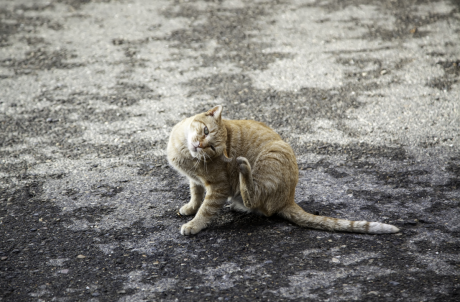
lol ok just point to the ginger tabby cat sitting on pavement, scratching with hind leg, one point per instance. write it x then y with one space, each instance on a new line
248 162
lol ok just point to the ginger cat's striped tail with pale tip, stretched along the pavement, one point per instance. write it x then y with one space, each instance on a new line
297 215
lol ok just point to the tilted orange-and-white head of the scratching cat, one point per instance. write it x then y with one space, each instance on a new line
207 136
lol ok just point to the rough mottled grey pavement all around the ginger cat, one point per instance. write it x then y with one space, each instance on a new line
367 92
